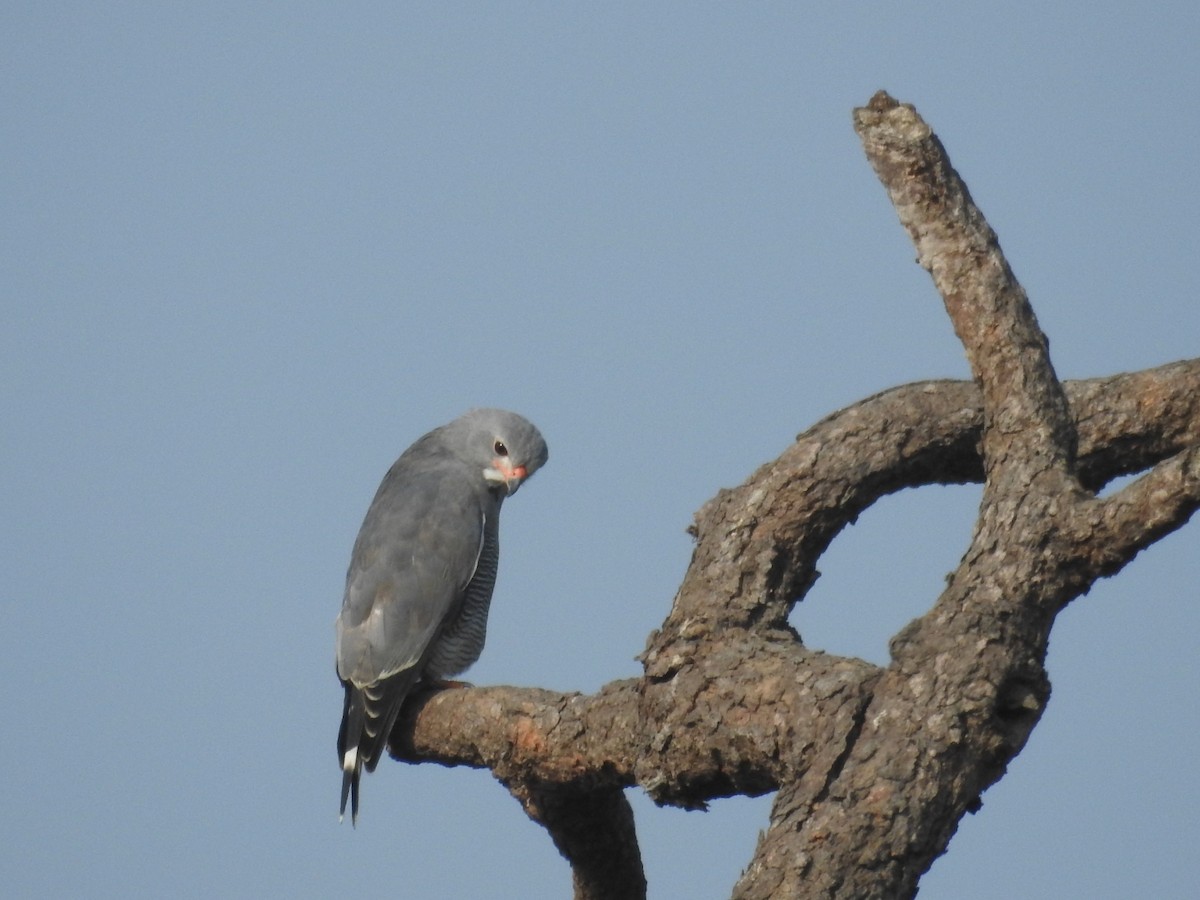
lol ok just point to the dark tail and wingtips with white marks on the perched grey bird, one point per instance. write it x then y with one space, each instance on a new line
368 718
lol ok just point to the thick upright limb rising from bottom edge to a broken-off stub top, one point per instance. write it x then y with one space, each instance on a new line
968 681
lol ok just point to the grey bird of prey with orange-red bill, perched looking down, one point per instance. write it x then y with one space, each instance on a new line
422 573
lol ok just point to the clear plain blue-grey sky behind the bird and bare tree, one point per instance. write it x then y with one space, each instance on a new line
251 251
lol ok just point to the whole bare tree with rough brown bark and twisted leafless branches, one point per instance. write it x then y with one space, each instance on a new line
873 767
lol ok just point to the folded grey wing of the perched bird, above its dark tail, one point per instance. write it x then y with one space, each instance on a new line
412 562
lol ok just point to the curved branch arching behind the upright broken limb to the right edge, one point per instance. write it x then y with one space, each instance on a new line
758 545
